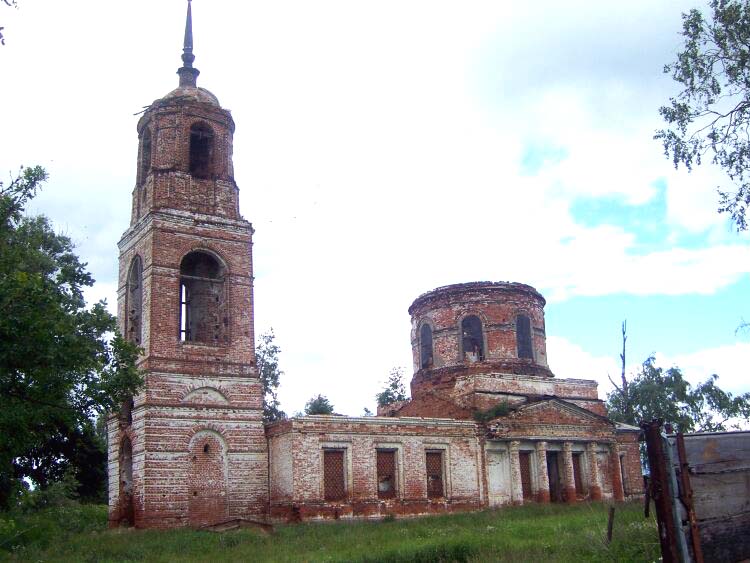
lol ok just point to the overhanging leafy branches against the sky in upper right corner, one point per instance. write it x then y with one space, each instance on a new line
711 115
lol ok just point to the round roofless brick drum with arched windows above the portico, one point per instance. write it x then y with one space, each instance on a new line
477 344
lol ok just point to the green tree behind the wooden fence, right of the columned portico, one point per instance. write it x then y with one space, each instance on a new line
658 393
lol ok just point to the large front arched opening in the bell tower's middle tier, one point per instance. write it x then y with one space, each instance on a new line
203 316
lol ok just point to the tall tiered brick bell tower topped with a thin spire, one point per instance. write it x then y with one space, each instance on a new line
190 448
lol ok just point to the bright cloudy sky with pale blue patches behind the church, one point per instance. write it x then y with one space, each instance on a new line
387 148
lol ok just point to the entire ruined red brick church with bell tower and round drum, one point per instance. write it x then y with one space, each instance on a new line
191 448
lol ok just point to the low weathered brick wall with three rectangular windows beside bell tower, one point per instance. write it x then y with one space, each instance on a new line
296 446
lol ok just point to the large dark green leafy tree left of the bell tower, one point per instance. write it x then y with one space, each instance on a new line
61 364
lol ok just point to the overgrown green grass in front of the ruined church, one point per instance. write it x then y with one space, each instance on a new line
528 533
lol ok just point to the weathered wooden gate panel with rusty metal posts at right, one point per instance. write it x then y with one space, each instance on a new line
700 484
